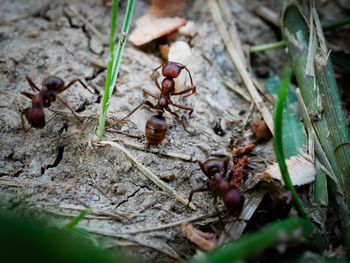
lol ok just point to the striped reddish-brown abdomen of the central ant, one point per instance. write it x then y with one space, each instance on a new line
156 128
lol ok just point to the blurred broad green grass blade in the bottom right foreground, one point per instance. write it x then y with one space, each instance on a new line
253 244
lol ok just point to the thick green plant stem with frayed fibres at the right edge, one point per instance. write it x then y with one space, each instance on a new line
321 98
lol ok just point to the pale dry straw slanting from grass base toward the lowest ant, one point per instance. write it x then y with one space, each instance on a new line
155 179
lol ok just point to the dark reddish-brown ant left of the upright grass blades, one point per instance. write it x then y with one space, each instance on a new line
51 86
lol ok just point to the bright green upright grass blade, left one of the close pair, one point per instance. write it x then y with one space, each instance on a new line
109 69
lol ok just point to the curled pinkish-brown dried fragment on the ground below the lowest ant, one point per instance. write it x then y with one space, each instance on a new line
204 240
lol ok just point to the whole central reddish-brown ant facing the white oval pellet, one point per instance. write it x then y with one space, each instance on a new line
156 126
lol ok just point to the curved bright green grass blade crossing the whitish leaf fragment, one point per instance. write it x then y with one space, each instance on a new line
278 141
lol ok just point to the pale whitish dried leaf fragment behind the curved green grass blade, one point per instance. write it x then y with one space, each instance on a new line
301 171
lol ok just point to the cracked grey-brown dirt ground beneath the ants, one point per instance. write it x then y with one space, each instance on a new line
56 171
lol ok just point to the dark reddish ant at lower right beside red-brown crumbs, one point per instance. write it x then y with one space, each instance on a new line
216 169
